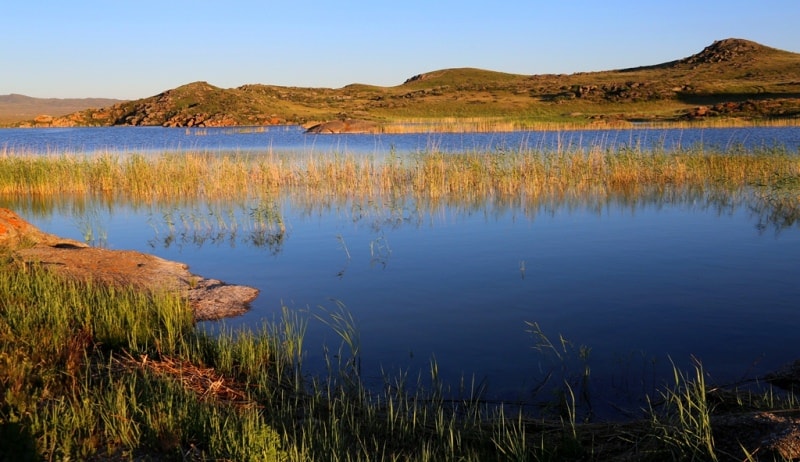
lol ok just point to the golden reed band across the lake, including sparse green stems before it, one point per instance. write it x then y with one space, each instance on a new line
528 178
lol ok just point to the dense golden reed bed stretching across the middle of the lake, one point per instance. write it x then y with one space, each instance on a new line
429 175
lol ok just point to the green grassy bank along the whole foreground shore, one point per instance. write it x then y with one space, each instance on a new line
93 373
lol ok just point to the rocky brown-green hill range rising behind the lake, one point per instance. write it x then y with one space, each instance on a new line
731 78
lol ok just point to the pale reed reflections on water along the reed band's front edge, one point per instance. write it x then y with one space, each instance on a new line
260 222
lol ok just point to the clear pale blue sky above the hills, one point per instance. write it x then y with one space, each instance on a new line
134 49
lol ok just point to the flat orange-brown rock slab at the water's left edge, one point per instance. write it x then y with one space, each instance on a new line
209 298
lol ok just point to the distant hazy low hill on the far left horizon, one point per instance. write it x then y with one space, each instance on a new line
14 108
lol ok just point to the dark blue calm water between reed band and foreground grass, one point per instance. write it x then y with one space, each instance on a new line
637 283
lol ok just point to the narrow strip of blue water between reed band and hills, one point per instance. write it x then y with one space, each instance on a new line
158 139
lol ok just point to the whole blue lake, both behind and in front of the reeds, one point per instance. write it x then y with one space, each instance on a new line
638 281
